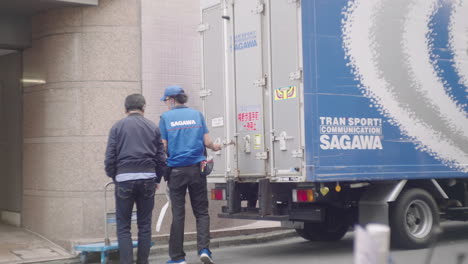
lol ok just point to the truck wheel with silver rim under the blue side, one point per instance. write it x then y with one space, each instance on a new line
414 218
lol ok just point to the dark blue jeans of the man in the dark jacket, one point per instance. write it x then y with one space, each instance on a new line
140 192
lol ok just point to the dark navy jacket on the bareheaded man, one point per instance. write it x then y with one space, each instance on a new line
135 145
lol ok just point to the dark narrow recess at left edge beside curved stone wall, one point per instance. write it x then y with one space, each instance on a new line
10 132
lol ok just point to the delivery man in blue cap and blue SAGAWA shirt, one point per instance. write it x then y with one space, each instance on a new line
185 136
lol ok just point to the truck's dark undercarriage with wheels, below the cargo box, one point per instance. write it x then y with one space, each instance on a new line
412 205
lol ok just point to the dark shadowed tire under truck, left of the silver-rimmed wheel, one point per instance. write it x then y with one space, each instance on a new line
334 228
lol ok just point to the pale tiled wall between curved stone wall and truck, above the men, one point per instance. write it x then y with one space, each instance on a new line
170 51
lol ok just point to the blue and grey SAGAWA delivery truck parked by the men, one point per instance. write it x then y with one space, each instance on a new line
337 112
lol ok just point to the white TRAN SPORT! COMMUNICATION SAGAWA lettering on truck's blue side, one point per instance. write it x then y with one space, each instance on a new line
350 133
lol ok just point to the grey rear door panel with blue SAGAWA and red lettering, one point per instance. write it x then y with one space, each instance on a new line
250 83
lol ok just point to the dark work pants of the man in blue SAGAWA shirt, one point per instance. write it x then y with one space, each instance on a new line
181 179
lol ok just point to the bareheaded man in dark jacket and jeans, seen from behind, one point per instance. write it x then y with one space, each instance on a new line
135 160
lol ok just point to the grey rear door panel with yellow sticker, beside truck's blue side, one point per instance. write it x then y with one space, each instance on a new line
286 88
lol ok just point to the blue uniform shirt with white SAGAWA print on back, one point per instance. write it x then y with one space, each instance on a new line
184 129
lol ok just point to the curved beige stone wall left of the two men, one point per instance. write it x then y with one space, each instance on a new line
90 60
